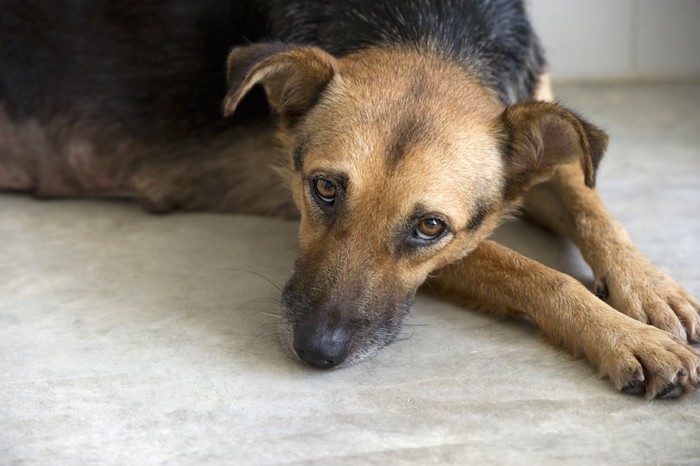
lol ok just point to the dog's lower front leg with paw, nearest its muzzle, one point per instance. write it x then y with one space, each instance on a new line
638 358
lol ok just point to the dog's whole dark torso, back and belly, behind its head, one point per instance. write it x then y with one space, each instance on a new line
96 97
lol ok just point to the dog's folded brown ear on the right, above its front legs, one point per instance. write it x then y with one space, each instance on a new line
538 136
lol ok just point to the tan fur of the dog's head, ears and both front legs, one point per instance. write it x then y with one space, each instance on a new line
454 169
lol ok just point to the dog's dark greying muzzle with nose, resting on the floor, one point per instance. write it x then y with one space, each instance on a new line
331 319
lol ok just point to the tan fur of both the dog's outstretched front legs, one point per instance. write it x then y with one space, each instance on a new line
619 348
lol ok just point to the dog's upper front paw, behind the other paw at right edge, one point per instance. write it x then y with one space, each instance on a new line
635 287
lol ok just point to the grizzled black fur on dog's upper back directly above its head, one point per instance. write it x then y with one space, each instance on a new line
491 38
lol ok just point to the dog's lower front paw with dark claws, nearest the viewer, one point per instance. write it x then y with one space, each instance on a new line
644 360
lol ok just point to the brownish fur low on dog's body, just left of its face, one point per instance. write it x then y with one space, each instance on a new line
192 186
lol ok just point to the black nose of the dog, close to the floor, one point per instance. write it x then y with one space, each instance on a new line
320 346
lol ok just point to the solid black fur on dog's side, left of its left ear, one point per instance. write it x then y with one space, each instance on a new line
155 67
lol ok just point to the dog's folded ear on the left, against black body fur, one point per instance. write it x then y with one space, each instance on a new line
293 77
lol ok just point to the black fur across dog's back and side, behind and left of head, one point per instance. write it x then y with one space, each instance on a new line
158 68
